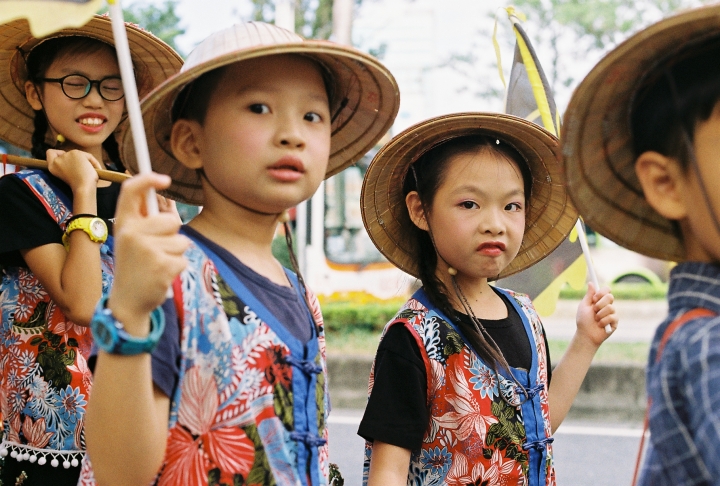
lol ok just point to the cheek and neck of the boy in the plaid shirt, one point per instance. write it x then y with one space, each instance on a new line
701 235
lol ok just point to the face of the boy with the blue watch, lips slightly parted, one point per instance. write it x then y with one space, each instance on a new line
265 142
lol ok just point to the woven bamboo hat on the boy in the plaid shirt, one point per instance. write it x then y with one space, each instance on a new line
597 143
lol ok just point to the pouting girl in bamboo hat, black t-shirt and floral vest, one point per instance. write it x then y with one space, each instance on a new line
459 387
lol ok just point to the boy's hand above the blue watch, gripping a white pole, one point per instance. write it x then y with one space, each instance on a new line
148 253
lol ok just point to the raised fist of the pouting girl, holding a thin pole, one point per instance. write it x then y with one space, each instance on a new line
594 313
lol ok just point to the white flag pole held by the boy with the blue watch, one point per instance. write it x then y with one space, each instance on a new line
132 101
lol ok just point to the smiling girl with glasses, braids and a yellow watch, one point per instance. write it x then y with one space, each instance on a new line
62 98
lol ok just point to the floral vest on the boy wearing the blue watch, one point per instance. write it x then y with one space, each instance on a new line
251 403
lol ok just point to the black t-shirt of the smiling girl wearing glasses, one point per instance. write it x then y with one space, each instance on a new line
26 224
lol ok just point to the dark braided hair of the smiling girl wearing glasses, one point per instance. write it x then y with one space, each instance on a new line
38 61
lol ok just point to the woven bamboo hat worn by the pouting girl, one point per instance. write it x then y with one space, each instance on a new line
551 215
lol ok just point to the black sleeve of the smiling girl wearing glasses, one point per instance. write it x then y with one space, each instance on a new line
24 221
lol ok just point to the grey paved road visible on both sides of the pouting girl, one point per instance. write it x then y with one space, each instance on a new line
586 453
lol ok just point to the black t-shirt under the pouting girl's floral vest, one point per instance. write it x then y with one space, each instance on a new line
397 411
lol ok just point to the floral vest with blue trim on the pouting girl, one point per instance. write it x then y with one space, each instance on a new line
483 429
